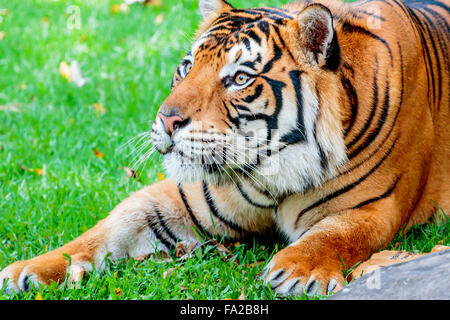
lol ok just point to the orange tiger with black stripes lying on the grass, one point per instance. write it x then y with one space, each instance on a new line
324 120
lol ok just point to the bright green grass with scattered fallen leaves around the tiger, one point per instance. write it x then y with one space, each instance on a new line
129 61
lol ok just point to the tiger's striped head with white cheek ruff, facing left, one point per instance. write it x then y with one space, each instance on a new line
256 97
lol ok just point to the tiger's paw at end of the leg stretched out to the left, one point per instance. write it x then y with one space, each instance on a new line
22 275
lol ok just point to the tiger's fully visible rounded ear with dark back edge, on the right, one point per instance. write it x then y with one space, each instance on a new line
317 37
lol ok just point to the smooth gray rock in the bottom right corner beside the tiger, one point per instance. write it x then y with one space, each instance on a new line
425 278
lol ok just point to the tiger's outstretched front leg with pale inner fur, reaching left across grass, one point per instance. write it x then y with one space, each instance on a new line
153 219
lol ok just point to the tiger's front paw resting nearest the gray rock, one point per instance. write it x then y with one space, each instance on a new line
292 273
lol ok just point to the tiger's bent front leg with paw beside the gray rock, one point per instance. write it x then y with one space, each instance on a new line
323 247
